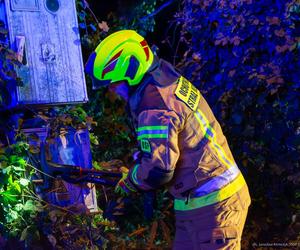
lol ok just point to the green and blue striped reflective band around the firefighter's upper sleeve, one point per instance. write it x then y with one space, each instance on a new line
148 132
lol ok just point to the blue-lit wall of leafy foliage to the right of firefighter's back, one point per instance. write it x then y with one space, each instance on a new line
244 57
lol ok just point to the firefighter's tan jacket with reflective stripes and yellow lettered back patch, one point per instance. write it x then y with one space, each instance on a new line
182 143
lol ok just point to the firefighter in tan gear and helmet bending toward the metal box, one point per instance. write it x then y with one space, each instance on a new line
181 142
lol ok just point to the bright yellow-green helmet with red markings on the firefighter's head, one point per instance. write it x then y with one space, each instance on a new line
123 55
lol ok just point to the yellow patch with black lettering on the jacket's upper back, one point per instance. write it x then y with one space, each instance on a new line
187 93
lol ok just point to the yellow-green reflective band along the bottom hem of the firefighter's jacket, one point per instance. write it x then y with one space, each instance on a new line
211 198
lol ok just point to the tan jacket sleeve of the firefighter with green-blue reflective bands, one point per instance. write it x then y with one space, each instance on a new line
157 135
